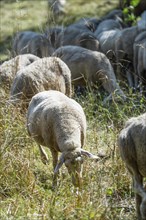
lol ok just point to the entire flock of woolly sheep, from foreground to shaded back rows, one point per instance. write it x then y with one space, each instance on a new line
88 52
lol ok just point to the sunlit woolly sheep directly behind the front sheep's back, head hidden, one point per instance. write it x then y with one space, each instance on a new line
43 74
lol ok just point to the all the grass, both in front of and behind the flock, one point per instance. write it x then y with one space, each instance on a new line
25 183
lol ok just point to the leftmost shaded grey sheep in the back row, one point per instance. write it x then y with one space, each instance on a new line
32 42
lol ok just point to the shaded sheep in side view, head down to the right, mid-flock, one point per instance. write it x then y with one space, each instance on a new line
89 66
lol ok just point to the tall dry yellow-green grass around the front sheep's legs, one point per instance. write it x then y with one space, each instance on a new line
25 183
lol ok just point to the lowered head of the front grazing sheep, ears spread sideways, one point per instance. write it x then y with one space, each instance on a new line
73 160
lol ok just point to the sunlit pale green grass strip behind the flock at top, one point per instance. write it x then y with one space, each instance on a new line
34 15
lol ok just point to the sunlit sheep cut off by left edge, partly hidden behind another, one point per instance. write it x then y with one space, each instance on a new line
9 68
